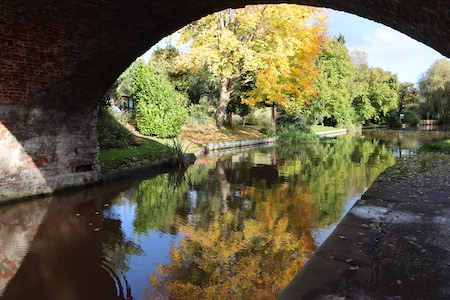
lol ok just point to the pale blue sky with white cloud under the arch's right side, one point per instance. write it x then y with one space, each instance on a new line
386 48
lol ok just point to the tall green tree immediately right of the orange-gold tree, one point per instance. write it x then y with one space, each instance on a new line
333 100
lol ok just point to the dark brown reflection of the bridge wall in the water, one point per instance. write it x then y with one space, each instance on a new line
64 257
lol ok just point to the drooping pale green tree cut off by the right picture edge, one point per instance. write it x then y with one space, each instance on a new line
434 88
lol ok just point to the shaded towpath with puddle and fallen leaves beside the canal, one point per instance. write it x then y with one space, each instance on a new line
393 244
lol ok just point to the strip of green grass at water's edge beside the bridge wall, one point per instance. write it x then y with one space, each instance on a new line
152 150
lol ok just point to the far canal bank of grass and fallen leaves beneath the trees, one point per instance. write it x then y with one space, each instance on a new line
130 149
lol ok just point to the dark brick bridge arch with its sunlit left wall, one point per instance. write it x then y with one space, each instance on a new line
58 57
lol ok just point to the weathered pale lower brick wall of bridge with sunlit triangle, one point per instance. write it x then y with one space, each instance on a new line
42 150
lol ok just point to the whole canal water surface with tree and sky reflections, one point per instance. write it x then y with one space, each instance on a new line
232 226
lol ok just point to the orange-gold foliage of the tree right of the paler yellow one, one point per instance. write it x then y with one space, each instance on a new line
288 70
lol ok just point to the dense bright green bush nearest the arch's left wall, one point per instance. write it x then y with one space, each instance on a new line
160 110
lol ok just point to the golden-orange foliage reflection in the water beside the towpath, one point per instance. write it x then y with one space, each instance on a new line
232 259
